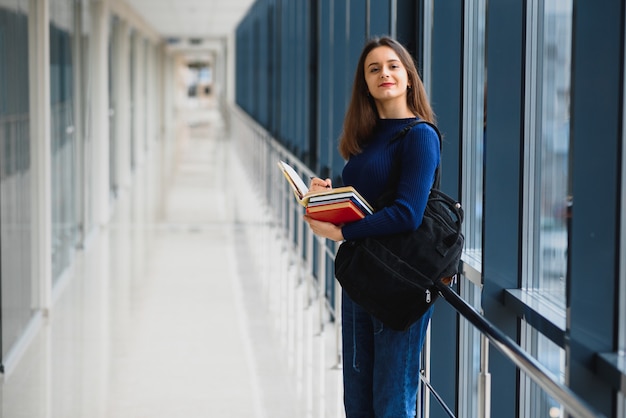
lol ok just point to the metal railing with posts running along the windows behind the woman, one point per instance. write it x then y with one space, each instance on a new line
261 152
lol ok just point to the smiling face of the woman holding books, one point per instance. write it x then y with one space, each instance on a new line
385 76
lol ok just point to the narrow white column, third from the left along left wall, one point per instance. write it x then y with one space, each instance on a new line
121 72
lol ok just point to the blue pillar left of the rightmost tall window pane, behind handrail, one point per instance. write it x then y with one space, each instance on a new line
502 205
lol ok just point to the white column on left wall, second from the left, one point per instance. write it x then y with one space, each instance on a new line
100 109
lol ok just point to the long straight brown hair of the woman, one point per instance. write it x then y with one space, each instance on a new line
361 115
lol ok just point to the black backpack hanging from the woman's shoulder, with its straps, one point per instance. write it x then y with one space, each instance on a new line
395 277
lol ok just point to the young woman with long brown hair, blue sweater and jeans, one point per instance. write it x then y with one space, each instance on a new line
381 366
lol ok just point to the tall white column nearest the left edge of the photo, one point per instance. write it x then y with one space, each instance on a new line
39 97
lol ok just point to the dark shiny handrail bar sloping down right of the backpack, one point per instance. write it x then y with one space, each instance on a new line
535 370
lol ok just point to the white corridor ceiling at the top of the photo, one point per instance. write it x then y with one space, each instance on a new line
184 19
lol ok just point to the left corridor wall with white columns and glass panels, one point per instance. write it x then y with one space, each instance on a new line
68 128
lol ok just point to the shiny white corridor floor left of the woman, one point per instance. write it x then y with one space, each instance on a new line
172 309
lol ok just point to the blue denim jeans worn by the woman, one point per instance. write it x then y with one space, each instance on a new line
380 366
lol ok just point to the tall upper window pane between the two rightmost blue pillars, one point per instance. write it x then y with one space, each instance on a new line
553 197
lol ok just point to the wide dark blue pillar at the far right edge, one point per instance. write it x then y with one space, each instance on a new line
596 130
